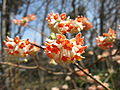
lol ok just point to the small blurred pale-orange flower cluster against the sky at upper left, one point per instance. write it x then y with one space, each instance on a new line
24 21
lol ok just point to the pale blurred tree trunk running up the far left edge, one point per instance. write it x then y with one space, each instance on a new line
3 37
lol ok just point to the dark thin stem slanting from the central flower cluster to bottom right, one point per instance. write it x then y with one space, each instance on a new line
99 82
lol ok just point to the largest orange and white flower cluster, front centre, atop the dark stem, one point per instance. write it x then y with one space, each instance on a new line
63 50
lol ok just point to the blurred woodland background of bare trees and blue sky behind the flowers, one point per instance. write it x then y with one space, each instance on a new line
104 14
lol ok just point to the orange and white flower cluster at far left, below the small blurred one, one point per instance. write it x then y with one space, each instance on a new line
20 48
